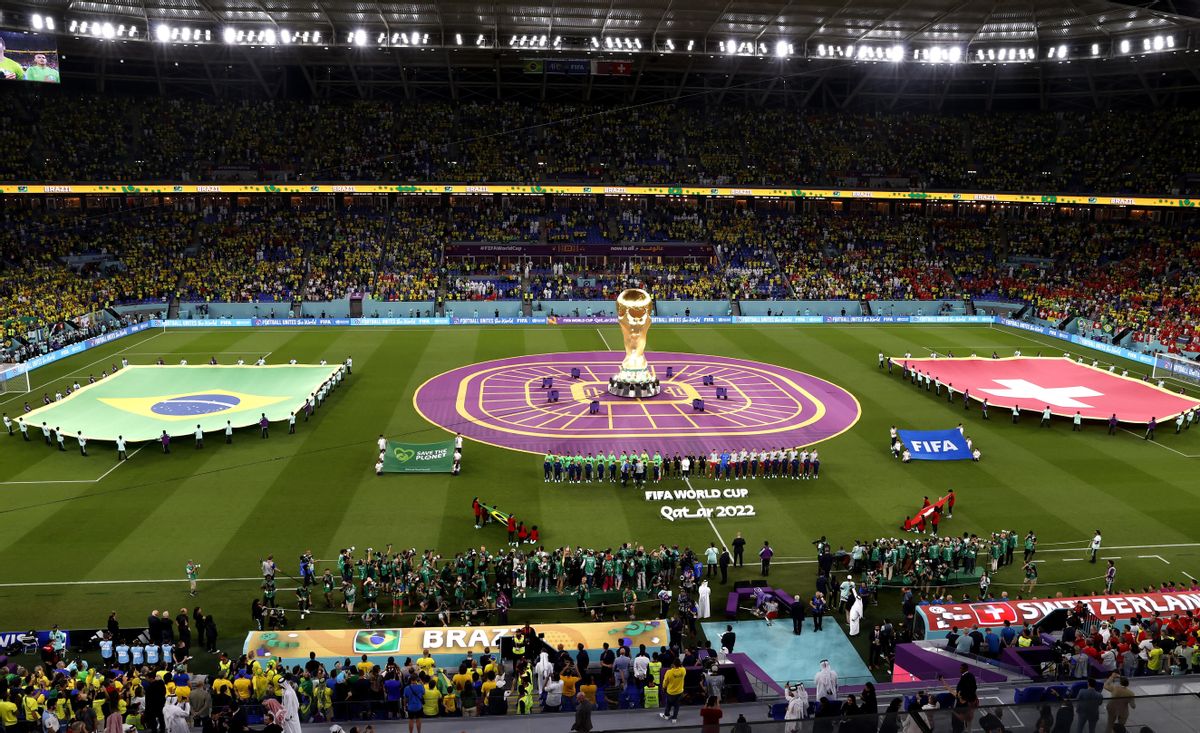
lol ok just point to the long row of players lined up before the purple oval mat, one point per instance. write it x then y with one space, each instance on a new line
783 464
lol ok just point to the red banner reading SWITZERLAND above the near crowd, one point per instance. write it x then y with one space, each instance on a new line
939 618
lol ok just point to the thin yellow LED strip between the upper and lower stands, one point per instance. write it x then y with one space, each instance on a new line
538 190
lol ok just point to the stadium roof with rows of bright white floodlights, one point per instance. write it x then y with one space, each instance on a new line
842 53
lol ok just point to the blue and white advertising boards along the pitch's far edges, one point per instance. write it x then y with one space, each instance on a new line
539 321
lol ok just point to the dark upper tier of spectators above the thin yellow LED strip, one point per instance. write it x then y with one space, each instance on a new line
107 139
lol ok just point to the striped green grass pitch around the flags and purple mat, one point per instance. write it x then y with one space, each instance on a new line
85 537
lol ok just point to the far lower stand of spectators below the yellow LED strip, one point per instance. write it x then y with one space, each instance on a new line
1111 277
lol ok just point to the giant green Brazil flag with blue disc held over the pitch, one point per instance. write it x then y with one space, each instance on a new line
141 402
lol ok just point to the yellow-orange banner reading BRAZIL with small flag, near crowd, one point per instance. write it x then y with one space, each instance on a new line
448 645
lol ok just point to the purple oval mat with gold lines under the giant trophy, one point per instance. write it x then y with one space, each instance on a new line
503 402
